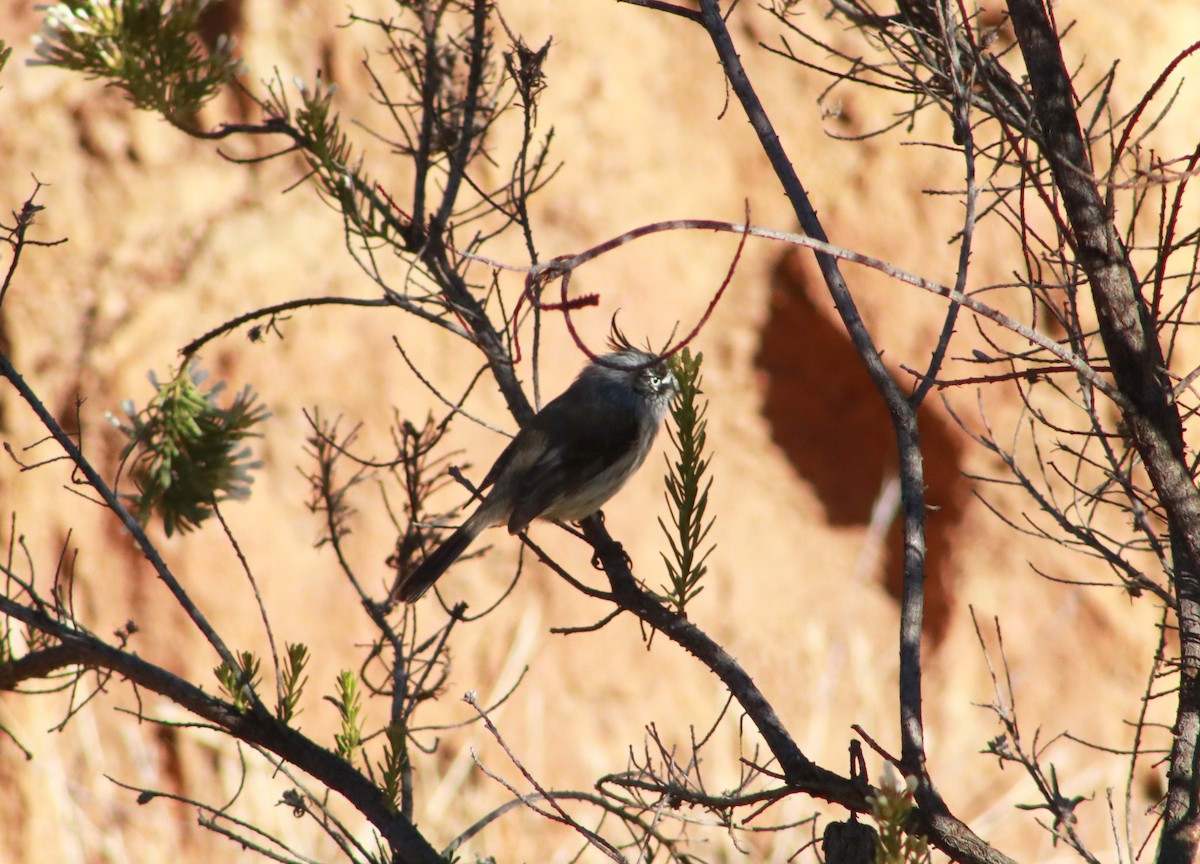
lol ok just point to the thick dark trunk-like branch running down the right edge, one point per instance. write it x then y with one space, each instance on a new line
1153 421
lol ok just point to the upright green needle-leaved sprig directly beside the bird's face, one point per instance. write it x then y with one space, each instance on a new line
687 488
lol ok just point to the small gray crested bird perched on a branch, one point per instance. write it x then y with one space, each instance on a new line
571 459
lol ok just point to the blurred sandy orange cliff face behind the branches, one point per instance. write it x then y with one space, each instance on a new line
167 241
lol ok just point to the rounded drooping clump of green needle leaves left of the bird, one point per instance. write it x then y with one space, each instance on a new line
190 451
